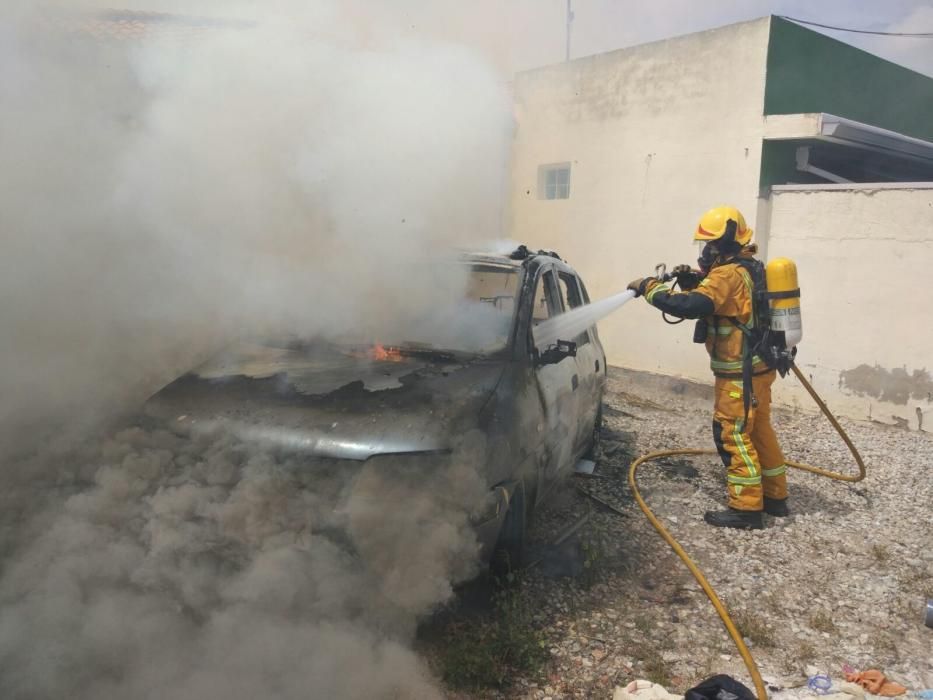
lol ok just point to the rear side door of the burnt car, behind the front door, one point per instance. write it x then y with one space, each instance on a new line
590 362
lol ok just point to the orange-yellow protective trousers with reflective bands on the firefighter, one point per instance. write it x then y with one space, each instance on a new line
750 452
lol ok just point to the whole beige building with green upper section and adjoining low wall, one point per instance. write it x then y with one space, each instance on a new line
826 149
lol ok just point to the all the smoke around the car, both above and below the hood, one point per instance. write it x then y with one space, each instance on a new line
163 193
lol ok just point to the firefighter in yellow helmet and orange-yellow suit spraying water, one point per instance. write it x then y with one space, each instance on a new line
720 295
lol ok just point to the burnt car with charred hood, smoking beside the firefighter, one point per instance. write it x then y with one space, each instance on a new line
521 413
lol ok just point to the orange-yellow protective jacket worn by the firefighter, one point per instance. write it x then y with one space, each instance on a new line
724 294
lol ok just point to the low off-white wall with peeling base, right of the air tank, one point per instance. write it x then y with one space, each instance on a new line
864 255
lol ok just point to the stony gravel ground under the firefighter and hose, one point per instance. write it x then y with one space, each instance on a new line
841 581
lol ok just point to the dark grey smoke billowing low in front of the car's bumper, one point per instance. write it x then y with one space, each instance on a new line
199 568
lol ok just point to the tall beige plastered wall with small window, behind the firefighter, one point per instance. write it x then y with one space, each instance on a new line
656 135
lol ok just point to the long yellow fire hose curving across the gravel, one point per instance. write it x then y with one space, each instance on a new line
694 569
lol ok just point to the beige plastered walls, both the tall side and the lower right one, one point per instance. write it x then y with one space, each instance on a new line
658 133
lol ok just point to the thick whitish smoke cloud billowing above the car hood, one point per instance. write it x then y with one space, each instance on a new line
166 188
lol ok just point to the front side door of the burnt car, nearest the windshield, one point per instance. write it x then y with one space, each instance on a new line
557 385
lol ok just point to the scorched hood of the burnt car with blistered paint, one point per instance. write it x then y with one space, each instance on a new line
330 402
